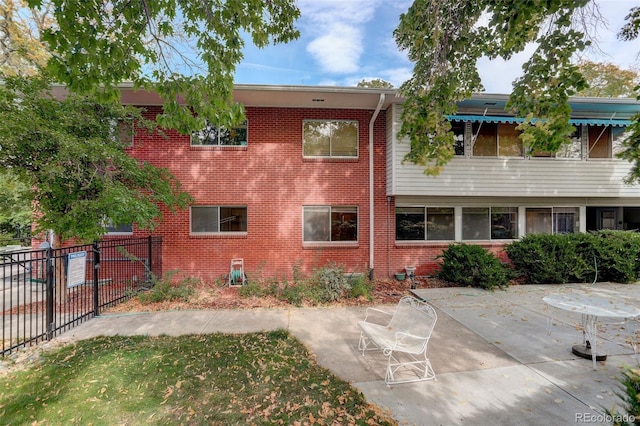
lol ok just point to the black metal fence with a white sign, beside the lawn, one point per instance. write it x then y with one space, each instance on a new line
48 291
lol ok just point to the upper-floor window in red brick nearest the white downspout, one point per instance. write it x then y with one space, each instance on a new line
330 138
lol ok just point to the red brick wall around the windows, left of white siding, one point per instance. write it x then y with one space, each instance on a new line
273 180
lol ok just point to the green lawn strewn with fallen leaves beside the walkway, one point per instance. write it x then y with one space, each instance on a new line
258 378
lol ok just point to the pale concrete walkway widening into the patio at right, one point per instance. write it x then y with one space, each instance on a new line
495 363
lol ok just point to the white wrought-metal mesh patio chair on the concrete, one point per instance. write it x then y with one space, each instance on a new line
403 339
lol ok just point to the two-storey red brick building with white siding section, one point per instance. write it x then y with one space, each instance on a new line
316 176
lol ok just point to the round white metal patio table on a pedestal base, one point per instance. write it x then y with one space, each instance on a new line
591 308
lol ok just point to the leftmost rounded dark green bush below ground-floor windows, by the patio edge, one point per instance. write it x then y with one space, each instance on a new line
472 265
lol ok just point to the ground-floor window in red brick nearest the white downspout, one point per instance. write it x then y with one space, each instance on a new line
330 224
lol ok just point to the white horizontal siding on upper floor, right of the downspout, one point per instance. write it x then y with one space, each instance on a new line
507 177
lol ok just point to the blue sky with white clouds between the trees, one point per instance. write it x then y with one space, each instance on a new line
345 41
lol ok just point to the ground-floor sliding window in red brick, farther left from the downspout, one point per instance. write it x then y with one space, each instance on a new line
218 219
